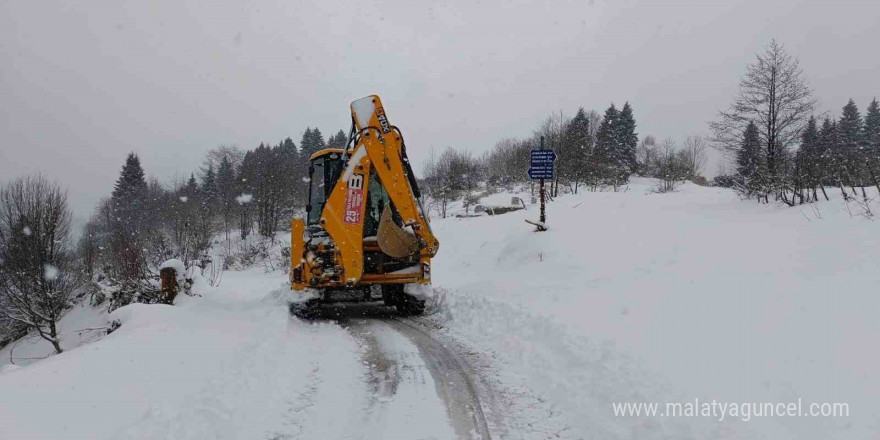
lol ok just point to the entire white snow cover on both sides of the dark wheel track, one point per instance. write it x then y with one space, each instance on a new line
629 297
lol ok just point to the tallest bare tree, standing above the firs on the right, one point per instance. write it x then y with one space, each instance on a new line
774 95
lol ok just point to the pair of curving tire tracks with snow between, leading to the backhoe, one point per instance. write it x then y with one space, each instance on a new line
408 369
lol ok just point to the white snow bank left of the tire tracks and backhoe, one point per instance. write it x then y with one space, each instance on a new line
231 364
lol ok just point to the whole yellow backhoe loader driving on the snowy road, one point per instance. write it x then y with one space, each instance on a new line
364 226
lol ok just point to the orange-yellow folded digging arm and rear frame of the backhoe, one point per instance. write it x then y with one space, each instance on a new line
378 146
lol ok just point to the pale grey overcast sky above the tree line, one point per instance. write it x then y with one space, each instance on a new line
82 83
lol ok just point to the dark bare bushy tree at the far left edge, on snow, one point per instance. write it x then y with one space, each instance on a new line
38 277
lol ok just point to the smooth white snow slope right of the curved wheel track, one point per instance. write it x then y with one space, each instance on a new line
636 296
